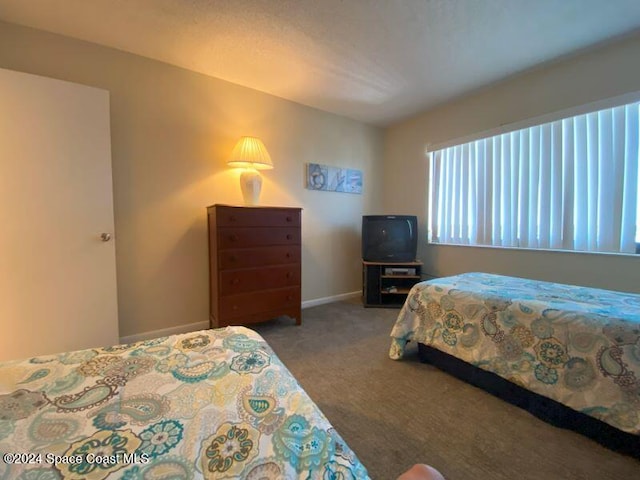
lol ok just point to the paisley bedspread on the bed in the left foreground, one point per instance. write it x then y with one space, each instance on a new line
210 404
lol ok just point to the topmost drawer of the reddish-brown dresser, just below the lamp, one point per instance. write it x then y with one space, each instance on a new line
257 217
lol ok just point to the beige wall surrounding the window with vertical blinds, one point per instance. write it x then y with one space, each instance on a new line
606 72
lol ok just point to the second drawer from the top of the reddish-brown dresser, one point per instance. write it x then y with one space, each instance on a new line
255 237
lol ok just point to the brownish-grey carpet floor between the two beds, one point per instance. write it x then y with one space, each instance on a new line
397 413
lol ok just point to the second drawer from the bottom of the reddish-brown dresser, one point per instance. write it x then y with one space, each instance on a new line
249 280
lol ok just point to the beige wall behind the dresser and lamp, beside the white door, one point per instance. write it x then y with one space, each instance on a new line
171 133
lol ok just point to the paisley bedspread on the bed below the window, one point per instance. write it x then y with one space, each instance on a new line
579 346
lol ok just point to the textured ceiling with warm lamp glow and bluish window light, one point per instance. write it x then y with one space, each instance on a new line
372 60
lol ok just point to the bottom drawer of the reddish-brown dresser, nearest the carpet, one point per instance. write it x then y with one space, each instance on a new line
249 303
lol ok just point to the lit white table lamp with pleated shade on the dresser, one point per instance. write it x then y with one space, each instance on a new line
250 154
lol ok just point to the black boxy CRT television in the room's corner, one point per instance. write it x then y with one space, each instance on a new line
389 238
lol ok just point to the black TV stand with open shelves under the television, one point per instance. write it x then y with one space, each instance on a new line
386 284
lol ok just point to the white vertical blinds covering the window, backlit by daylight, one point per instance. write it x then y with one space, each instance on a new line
571 184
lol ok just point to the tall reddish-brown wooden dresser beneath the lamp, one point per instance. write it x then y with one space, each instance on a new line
254 264
